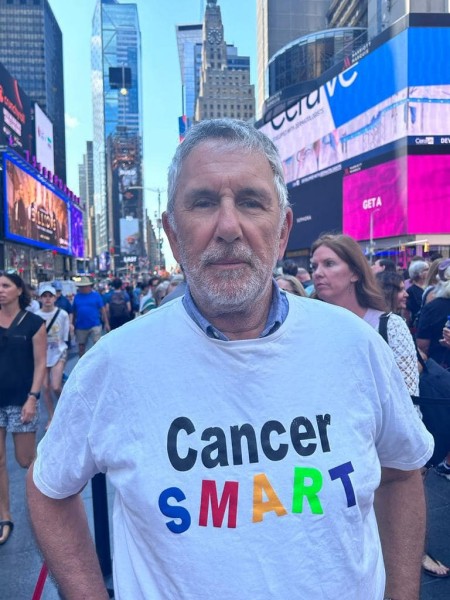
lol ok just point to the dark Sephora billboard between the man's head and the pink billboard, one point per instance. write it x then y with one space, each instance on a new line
317 208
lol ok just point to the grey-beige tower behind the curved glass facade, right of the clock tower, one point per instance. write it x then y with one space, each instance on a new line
279 22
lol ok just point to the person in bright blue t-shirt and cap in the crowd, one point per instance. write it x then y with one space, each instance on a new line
89 314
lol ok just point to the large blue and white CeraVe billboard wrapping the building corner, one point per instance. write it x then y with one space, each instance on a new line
400 91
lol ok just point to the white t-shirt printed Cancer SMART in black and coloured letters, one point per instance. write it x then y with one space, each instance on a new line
232 481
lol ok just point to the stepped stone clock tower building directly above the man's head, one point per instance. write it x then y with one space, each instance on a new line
225 88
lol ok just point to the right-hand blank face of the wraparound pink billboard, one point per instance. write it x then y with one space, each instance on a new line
429 194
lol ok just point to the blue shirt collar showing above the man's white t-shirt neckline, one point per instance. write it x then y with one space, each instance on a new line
279 308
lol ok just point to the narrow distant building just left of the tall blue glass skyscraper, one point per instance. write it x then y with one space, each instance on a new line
86 184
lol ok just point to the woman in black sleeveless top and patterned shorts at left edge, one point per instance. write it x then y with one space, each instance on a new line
23 352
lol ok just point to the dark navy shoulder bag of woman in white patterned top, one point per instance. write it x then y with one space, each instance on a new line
433 399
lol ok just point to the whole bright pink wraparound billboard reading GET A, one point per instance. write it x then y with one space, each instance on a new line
409 195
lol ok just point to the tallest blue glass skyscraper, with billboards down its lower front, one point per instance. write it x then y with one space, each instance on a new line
117 144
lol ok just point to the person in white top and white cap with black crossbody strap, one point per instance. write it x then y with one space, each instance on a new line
57 325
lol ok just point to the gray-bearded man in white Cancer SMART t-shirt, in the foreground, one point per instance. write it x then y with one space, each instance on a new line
230 481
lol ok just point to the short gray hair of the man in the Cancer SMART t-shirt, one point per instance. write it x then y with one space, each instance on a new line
237 134
